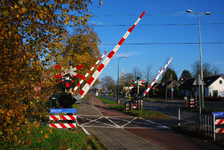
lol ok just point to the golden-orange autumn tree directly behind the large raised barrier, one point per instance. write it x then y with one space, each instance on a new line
82 48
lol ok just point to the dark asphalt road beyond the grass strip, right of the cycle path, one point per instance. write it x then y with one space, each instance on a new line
168 108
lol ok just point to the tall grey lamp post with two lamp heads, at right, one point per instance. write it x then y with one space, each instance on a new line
199 29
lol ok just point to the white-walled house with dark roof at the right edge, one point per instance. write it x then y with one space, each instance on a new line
214 86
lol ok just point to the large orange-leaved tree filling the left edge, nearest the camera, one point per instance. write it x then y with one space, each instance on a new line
31 34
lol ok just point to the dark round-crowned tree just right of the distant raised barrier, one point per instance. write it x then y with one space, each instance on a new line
167 77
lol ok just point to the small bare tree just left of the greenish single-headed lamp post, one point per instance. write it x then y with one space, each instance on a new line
108 83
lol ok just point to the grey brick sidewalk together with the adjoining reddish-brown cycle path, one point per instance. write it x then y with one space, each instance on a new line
131 138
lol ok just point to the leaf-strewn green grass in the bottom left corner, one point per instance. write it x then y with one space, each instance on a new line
43 137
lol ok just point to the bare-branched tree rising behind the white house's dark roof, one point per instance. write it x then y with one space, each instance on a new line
208 69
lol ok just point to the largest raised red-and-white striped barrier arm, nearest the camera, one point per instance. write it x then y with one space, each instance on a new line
105 62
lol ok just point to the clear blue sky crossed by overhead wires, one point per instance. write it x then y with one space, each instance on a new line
166 30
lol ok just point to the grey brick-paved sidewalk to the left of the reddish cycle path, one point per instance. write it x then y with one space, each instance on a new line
113 138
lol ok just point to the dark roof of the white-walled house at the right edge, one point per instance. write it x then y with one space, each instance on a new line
188 83
